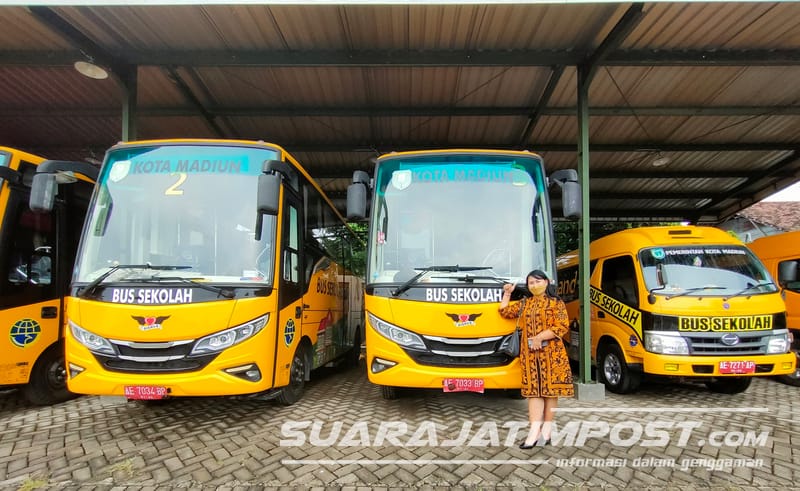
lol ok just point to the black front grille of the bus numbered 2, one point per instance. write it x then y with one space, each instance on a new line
153 358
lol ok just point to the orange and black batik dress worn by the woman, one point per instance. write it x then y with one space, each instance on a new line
545 372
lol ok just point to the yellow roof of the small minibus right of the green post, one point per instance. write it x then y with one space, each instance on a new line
634 239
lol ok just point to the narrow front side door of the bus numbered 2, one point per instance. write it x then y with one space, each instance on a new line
290 288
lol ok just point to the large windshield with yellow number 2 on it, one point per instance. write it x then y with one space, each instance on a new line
189 211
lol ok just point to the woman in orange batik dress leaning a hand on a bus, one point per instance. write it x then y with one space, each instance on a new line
546 373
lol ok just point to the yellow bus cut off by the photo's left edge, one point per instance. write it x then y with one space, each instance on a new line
37 253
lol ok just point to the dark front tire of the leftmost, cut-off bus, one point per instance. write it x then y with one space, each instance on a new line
48 381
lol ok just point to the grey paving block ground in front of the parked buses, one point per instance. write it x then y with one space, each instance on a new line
343 435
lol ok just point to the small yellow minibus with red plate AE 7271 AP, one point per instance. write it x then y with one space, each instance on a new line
682 301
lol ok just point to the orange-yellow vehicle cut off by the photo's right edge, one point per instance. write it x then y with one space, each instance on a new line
781 255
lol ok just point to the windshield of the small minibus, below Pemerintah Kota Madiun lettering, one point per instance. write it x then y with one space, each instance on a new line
704 270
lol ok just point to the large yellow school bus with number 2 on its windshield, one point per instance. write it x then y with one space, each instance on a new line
209 268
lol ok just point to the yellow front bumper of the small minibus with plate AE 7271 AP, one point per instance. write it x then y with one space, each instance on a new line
719 366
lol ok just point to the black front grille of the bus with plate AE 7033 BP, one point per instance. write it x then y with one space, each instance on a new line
461 352
